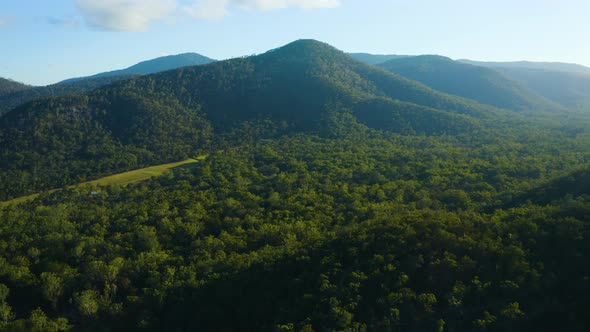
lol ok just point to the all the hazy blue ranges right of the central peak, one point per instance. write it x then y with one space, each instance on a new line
530 85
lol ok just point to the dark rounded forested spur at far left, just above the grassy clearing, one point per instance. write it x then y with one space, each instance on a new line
56 142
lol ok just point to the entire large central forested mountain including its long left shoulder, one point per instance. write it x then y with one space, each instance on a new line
306 86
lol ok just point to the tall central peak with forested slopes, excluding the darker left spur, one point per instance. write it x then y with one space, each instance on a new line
317 74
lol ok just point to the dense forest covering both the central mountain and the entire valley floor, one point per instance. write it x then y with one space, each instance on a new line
334 196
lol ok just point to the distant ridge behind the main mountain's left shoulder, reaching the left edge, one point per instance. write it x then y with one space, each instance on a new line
84 84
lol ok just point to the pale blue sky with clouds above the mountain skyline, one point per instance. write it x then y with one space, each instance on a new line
46 41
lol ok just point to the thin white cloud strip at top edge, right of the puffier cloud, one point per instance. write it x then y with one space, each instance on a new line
218 9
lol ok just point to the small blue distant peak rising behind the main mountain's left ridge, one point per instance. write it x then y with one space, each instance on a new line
154 66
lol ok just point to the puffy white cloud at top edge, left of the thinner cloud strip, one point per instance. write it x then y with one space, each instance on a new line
124 15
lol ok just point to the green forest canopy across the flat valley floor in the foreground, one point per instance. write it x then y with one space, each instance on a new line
300 233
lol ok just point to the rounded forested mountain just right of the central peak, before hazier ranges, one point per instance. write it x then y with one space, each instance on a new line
482 84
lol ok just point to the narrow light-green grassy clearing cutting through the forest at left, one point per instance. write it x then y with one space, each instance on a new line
125 178
